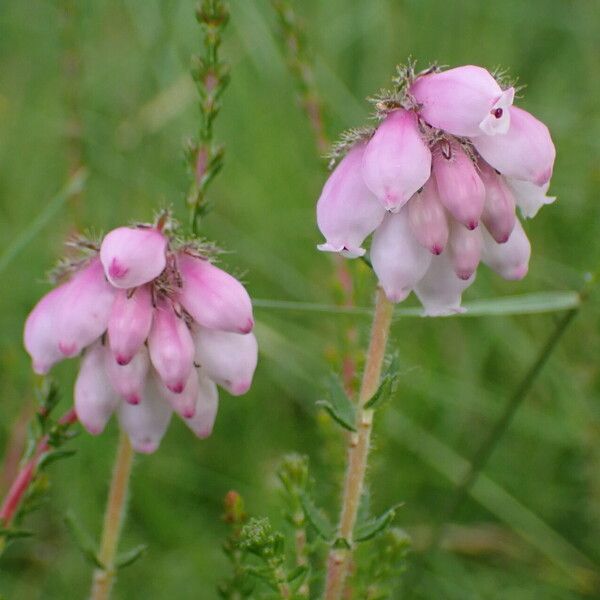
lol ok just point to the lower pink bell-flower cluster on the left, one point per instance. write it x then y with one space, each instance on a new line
160 327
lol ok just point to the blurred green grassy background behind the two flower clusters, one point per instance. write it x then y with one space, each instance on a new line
532 527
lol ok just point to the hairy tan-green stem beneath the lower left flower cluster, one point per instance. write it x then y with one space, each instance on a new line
113 520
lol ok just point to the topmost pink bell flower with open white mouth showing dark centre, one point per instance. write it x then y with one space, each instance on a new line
465 101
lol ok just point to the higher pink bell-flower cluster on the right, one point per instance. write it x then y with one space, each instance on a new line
438 182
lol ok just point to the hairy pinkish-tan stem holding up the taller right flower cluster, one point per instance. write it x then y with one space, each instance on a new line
358 449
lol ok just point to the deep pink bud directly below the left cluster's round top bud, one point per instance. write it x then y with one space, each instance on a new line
129 323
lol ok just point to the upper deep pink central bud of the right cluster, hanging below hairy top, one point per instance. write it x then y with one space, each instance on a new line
460 188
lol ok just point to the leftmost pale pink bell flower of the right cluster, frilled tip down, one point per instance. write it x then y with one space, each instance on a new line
347 211
